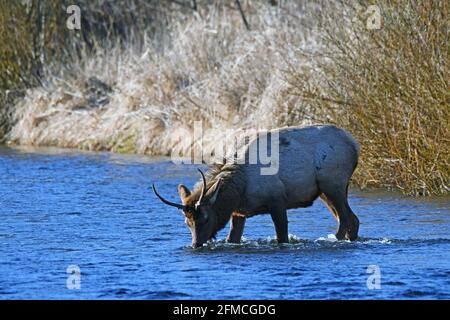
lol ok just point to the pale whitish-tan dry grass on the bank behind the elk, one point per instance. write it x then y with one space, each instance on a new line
213 70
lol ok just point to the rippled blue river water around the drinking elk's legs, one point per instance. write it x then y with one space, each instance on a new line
95 212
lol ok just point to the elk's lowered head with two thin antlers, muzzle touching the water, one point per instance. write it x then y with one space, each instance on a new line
197 207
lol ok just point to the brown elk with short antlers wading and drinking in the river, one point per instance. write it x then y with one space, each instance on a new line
315 161
